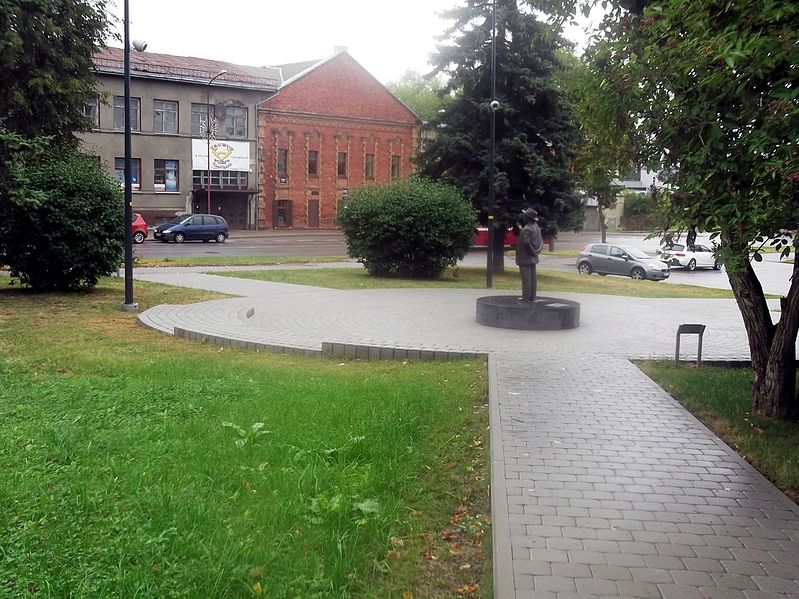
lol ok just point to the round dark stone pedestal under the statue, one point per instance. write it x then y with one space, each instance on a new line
544 314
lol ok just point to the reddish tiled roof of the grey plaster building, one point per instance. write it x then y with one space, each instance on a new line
187 69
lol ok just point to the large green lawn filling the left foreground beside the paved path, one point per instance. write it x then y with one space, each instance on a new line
139 465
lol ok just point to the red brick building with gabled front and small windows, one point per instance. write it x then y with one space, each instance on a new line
328 129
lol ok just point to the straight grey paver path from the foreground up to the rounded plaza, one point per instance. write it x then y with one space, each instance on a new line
613 489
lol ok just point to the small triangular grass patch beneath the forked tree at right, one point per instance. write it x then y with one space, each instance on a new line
721 398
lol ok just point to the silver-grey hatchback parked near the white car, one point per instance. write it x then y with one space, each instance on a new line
609 259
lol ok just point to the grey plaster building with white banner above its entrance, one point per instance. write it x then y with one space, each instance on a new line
171 100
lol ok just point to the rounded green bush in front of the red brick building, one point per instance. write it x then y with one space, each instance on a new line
412 228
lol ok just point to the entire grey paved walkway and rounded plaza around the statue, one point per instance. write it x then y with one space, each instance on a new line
602 485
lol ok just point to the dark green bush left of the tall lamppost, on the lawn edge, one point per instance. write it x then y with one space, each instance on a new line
69 230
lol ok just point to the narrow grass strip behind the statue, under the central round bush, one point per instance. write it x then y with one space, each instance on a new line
474 278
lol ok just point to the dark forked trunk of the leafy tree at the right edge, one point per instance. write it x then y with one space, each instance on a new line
772 347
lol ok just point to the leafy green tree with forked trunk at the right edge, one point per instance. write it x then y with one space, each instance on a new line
713 87
